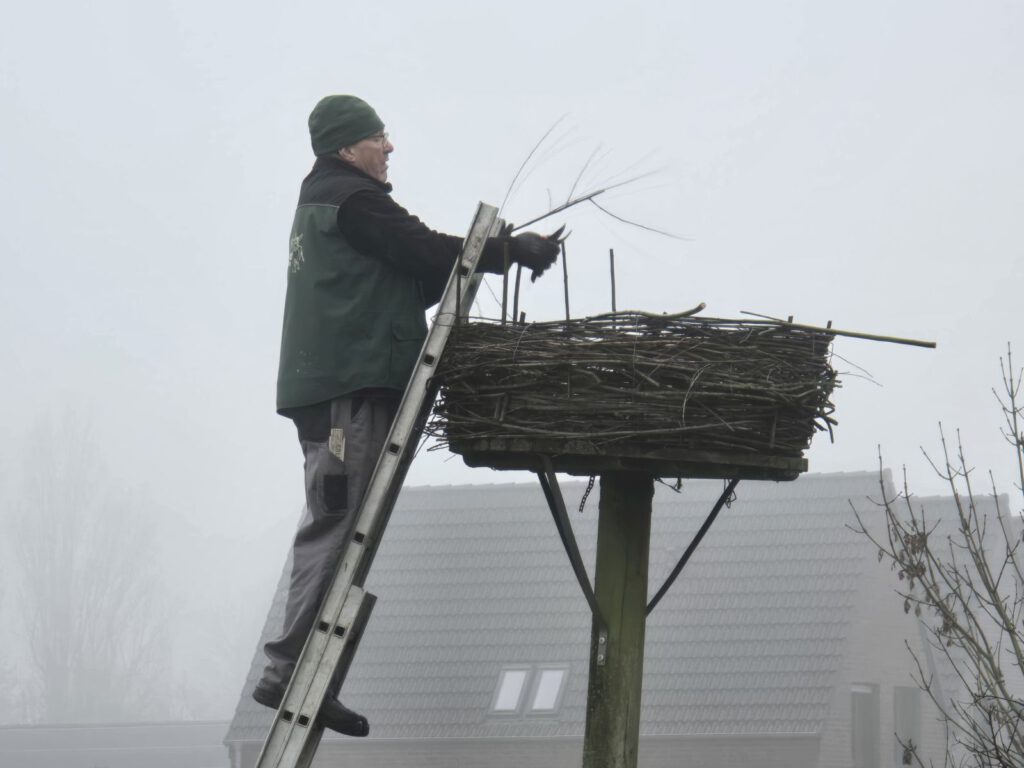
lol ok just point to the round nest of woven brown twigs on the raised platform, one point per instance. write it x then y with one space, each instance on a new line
650 382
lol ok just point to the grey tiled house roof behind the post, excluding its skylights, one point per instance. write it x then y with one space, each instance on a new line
474 580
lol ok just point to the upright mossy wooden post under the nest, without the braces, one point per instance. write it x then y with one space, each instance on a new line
613 733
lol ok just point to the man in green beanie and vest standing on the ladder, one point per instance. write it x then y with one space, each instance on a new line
362 273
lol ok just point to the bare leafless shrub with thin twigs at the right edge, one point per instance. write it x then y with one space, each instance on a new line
964 578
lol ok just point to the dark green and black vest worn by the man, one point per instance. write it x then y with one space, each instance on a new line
352 322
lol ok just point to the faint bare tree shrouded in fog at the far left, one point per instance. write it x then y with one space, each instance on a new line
87 587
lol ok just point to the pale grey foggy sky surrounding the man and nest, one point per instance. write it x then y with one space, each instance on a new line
860 163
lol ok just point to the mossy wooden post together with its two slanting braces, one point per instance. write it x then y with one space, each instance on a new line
619 606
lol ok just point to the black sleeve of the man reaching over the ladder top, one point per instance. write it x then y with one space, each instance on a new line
378 227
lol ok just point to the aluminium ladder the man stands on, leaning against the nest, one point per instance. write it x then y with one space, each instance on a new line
294 736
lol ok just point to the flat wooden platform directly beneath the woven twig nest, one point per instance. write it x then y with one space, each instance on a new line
583 458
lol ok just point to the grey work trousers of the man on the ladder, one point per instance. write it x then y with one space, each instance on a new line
342 441
